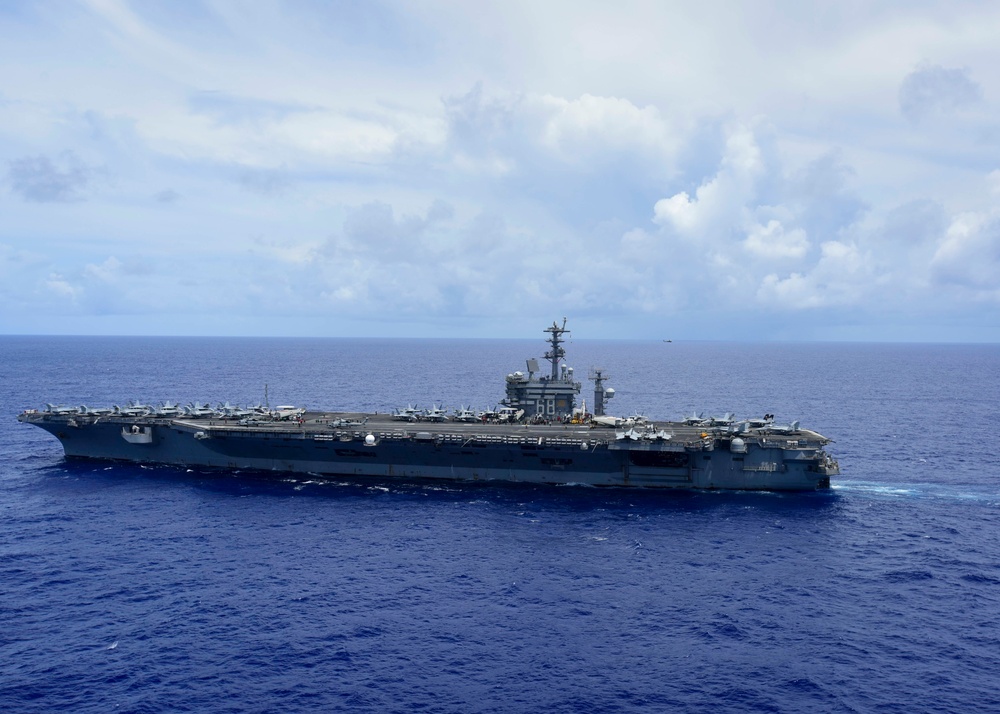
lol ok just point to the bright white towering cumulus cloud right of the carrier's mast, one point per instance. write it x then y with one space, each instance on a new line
756 234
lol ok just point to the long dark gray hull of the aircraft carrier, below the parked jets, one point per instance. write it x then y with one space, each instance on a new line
690 458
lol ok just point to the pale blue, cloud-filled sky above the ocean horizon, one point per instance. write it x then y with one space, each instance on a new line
650 170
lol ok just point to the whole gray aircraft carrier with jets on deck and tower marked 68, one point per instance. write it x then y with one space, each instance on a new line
537 435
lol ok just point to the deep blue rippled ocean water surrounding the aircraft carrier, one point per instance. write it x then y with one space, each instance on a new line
155 589
